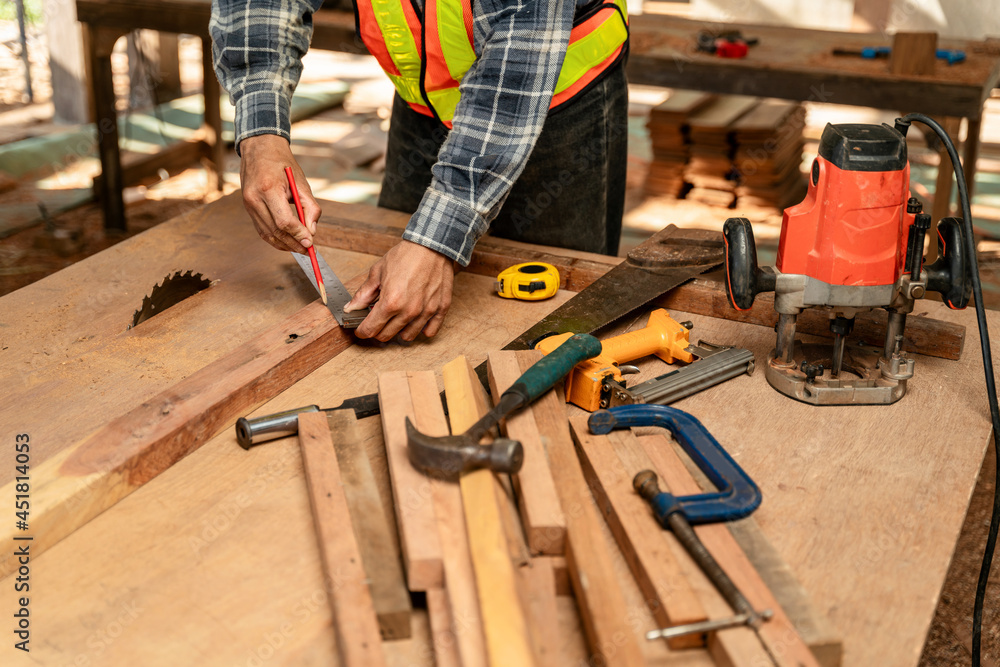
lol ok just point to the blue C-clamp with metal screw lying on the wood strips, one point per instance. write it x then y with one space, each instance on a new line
737 497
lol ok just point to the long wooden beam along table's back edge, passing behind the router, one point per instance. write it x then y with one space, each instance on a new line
704 296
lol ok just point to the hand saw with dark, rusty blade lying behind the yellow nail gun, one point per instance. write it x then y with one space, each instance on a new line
663 261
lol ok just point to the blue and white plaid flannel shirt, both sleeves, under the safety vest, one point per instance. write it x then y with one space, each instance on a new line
520 45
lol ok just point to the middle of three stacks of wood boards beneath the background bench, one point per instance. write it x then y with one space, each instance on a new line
710 169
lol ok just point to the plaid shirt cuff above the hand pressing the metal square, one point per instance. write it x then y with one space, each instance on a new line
446 224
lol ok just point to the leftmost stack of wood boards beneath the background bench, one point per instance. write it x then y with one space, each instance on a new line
668 131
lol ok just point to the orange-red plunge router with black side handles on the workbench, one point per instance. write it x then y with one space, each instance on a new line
855 243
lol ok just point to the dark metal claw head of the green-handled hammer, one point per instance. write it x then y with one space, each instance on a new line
449 456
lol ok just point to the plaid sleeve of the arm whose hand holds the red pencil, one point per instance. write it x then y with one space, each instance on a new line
257 46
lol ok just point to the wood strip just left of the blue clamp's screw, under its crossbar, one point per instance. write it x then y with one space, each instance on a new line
645 547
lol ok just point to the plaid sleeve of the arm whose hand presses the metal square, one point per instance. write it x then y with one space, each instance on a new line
505 99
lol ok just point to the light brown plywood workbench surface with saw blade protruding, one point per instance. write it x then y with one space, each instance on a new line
215 560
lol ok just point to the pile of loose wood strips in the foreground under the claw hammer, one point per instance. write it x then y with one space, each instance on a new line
492 577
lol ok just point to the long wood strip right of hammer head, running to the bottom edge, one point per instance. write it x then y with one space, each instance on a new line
588 552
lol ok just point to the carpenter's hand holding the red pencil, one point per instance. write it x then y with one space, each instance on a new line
267 197
